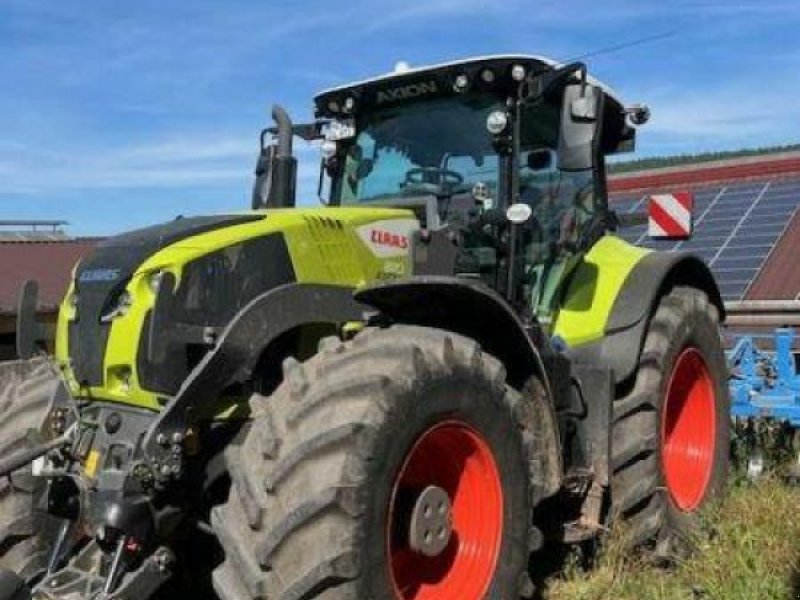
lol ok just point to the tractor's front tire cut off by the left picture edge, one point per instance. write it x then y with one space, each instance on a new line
26 388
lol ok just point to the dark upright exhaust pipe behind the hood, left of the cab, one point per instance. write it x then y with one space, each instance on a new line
276 170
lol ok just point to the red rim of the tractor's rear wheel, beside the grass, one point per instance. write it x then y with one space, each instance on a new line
688 434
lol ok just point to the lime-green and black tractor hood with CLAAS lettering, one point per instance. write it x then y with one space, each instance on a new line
120 339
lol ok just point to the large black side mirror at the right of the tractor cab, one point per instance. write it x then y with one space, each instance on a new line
580 126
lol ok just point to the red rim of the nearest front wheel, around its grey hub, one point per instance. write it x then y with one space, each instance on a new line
457 459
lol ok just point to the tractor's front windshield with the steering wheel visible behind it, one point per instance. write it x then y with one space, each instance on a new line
439 146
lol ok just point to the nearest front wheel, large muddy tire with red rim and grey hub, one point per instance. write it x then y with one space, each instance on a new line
349 459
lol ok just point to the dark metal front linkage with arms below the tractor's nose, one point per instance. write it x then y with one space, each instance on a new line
105 499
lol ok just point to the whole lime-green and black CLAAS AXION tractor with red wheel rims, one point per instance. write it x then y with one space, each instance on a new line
402 394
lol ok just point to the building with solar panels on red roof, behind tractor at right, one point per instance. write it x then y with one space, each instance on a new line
746 227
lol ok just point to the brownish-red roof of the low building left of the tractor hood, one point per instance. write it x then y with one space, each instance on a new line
50 263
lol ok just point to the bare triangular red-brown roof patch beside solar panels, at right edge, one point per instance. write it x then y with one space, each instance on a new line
779 278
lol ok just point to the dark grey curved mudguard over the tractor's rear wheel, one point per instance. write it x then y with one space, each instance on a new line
652 277
